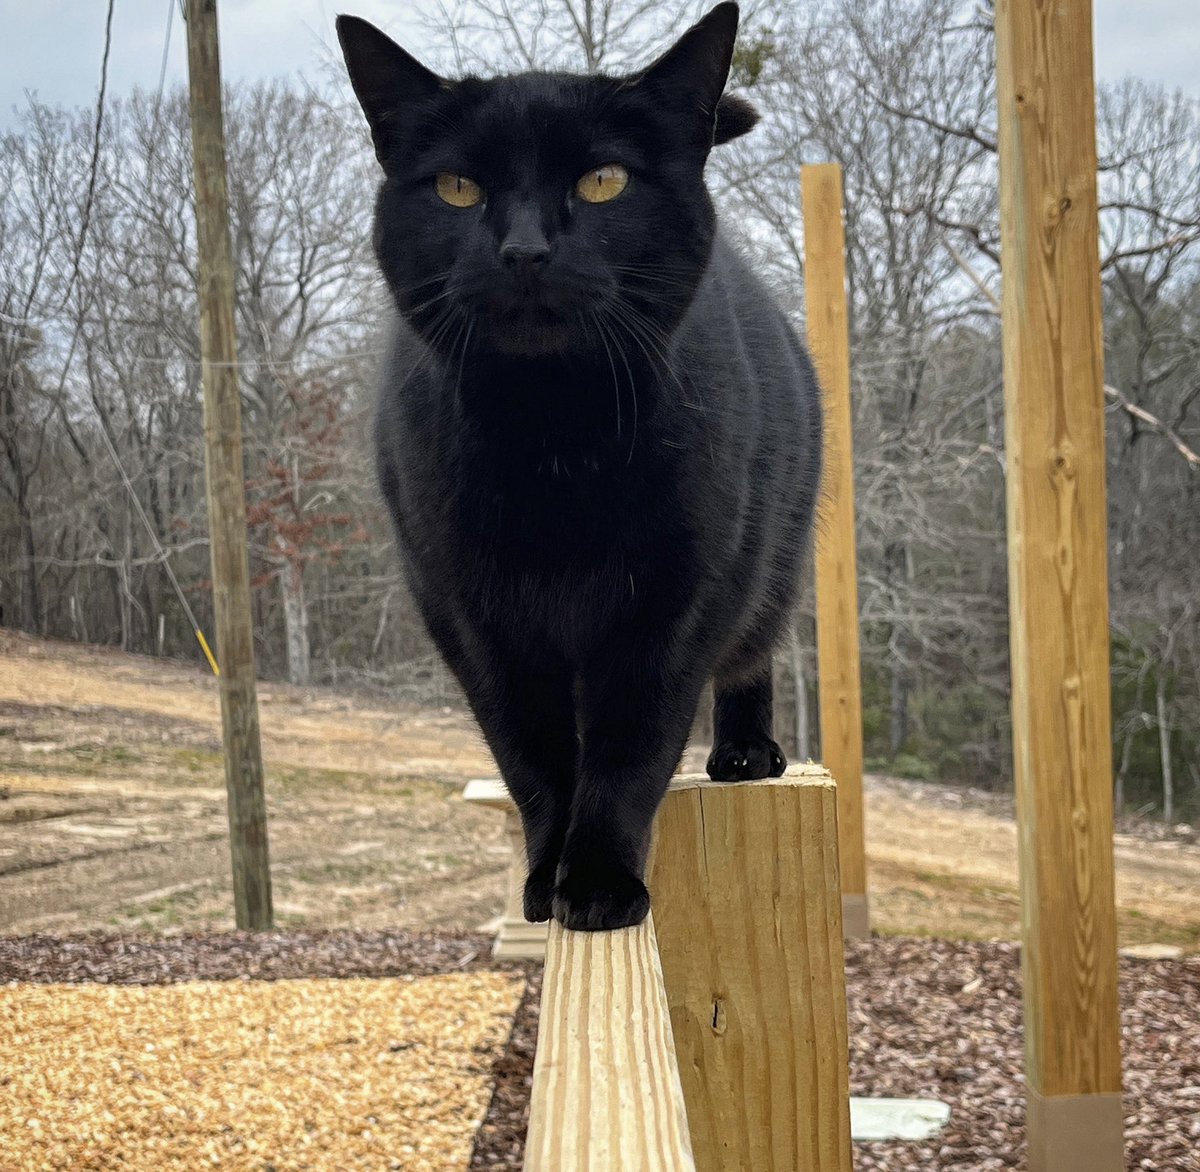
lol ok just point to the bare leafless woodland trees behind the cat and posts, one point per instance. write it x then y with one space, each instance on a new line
100 372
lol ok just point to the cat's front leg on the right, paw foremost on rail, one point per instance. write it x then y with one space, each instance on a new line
635 713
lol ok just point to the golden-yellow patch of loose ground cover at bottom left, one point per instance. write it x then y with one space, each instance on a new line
327 1077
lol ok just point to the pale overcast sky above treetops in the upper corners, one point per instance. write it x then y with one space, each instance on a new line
53 47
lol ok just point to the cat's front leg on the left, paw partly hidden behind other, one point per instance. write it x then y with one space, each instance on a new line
526 712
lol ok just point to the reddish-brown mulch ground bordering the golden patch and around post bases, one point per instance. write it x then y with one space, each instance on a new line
928 1018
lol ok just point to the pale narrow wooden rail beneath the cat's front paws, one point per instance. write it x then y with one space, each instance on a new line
607 1090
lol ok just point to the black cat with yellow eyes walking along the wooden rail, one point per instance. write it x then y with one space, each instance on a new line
599 438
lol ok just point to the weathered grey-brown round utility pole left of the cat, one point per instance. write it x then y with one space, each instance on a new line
226 479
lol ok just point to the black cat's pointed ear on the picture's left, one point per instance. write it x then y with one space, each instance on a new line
386 80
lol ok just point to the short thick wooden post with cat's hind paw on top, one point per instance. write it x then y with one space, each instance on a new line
746 895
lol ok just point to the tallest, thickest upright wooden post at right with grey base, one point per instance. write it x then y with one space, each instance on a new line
1058 546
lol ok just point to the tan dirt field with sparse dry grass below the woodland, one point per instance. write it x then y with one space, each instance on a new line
112 816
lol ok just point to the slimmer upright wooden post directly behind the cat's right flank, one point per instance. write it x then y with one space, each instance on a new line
836 564
